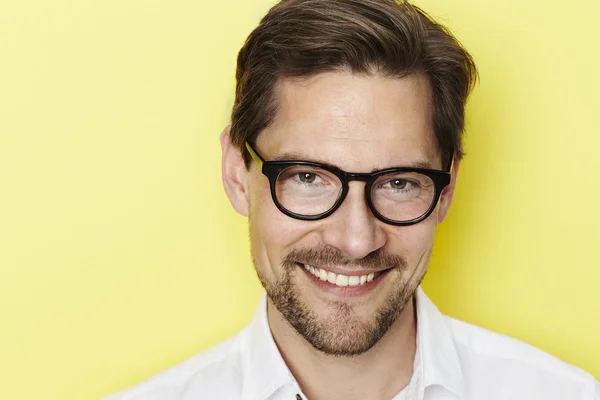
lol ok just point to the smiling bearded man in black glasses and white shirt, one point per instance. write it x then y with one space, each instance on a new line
343 151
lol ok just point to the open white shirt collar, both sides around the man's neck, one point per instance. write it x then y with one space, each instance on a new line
265 371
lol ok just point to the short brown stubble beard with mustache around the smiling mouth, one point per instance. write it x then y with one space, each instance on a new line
341 333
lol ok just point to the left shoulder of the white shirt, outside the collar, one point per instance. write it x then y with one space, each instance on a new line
215 371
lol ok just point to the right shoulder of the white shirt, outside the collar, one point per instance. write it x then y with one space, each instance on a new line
495 360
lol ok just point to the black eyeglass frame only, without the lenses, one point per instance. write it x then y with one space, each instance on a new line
272 169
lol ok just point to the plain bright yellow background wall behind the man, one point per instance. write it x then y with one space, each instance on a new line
120 255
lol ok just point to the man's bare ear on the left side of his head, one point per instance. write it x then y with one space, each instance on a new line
234 173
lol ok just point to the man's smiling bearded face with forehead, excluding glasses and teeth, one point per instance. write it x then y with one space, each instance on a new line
359 124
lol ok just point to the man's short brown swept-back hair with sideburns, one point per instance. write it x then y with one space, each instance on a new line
301 38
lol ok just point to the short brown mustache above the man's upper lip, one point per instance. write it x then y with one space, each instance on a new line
328 255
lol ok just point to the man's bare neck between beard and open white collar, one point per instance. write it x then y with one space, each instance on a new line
381 372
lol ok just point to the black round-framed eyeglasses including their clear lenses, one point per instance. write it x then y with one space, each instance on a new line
311 191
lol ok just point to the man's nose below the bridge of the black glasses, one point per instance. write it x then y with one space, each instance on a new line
353 228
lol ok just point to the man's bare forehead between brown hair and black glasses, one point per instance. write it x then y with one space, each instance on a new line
358 123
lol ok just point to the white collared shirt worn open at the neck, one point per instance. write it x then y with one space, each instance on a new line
454 361
